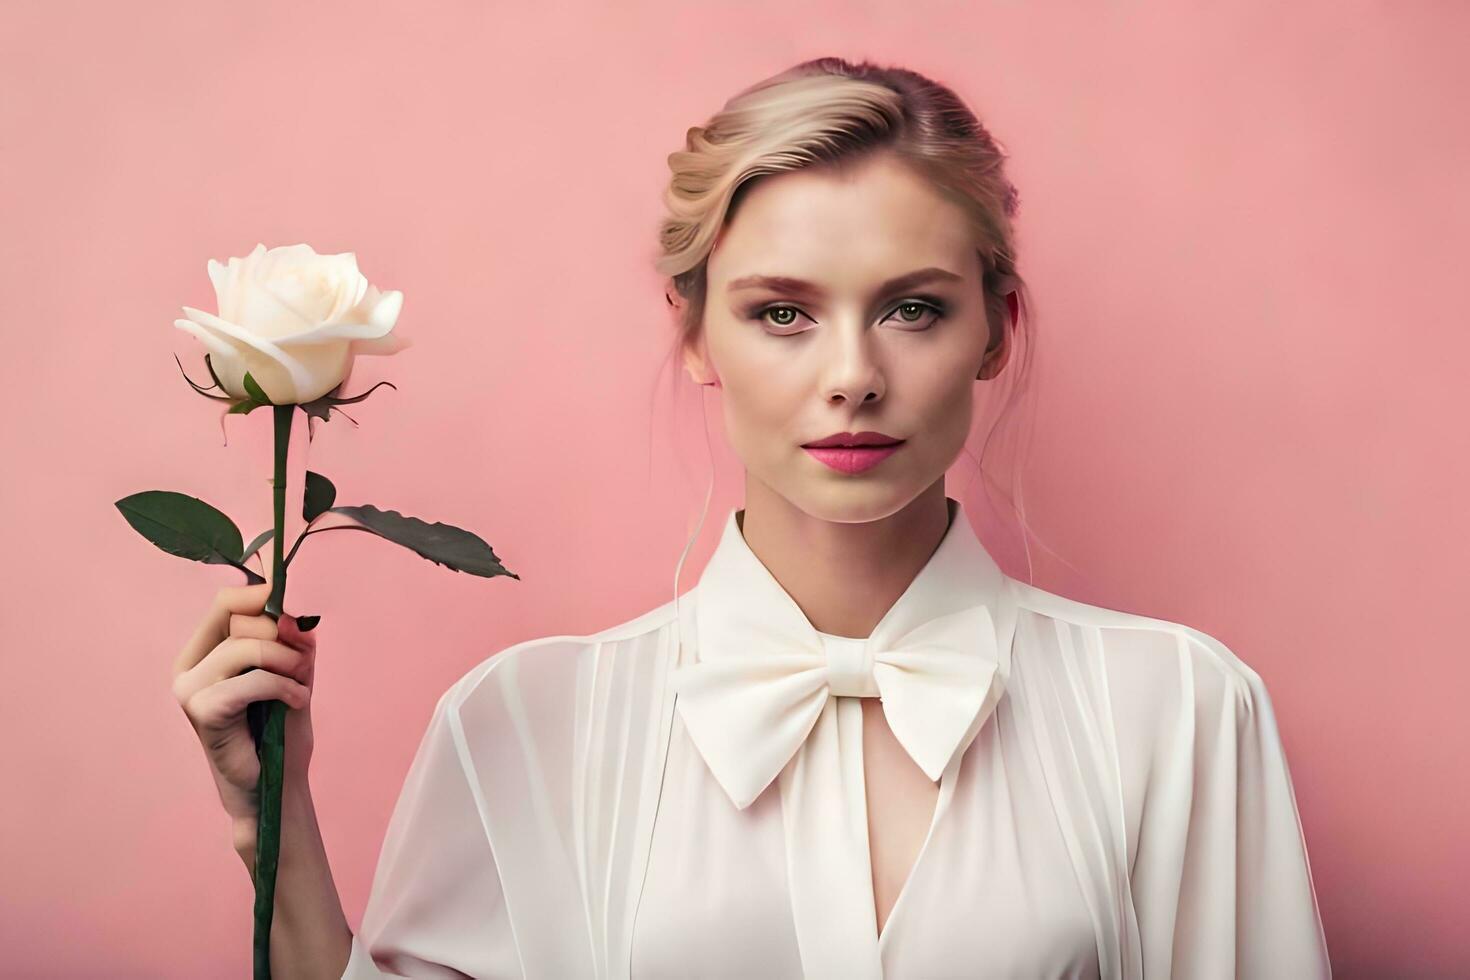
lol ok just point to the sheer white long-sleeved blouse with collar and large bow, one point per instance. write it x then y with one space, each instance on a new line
683 796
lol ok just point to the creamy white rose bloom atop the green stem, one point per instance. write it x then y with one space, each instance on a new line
295 320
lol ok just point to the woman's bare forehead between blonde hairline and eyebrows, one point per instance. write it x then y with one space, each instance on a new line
827 224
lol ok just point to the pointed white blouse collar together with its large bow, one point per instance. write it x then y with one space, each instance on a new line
765 674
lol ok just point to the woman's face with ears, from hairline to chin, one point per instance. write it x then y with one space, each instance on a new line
875 324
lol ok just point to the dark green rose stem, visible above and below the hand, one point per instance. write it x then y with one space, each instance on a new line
271 740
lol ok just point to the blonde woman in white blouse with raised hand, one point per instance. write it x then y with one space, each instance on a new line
858 749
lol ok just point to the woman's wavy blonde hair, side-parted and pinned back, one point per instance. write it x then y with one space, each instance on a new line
830 112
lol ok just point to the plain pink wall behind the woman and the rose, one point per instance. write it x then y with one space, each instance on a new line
1246 228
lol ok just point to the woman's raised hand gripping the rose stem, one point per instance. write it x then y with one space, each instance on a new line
239 656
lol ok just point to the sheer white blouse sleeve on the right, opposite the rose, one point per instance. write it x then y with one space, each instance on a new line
1222 884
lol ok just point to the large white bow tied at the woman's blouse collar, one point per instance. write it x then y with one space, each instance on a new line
758 691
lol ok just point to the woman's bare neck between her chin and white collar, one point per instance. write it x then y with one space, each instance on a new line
845 577
